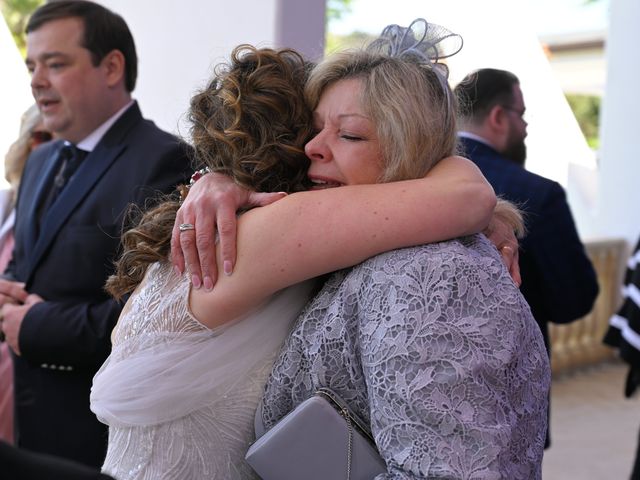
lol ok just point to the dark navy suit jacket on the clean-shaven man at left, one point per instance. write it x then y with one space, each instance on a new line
66 259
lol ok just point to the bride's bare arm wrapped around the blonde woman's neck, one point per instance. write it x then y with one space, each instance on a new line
311 233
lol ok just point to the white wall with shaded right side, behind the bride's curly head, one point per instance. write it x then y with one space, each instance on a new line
179 43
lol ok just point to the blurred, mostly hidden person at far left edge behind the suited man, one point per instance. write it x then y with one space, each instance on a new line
32 134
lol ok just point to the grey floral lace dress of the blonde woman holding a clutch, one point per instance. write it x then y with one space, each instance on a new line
436 348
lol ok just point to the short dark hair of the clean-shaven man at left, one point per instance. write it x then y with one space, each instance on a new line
104 31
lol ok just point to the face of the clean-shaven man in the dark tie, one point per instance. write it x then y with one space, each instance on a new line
69 90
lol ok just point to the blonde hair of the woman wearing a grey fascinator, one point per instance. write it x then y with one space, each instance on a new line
409 103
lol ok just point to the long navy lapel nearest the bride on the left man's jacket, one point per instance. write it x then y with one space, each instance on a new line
82 183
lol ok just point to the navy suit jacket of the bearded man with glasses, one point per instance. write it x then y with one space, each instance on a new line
558 280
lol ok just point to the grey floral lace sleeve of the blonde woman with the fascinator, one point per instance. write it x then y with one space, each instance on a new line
456 371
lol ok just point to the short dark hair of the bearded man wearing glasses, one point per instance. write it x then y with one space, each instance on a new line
482 90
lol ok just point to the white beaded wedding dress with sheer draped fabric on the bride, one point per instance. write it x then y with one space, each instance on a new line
178 397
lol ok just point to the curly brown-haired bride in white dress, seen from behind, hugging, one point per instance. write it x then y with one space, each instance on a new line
189 365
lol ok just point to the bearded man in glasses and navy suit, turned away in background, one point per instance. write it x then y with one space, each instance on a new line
558 280
